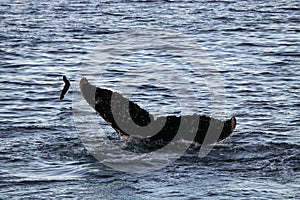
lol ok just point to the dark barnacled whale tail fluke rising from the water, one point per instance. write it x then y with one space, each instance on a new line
112 107
